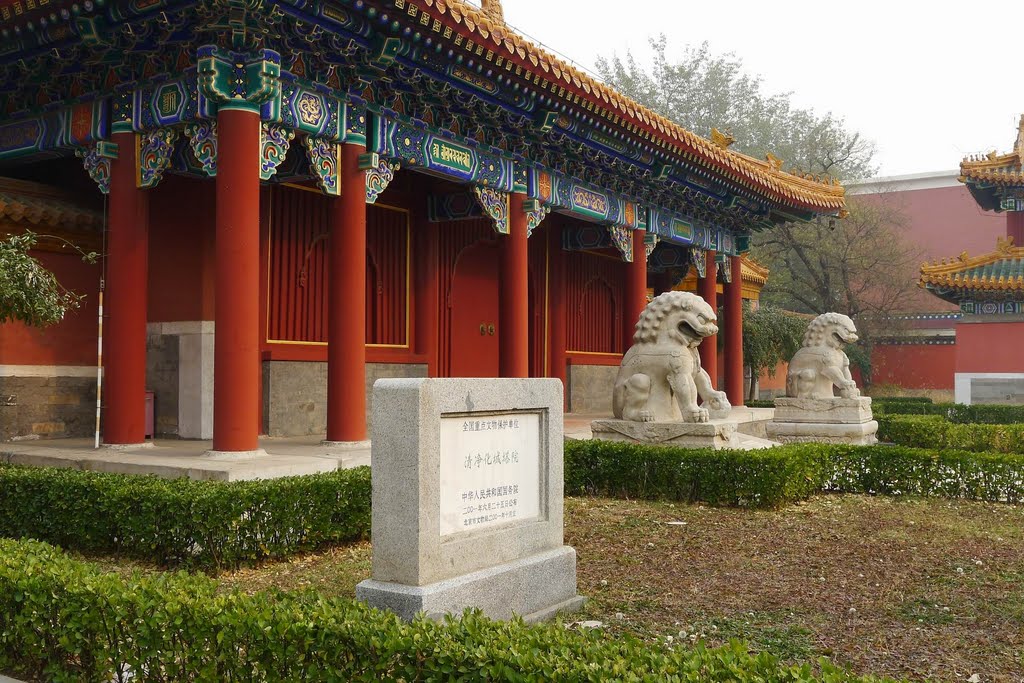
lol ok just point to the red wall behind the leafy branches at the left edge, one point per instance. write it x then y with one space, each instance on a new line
71 343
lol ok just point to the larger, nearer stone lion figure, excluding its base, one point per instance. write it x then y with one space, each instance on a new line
661 377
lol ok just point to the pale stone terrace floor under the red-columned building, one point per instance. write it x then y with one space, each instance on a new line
283 457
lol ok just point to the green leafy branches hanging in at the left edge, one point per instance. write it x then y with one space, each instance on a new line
30 293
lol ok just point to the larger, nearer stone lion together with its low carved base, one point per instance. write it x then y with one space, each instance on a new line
660 381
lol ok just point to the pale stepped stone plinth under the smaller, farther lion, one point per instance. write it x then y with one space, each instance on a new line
825 421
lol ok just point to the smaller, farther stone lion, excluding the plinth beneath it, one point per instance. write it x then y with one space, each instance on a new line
822 364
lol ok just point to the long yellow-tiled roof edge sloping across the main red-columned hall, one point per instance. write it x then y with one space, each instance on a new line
823 196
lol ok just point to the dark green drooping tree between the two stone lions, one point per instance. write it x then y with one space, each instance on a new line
772 336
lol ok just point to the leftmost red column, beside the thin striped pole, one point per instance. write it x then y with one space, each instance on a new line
127 272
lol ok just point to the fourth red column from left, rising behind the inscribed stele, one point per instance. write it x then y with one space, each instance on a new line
515 294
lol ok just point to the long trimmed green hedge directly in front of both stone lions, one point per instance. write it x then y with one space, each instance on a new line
776 477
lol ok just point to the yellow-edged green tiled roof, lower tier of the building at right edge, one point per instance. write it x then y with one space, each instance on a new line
1001 270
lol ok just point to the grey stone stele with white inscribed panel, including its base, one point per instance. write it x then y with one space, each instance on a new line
467 499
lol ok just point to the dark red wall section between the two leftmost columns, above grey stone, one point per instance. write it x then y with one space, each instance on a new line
182 250
